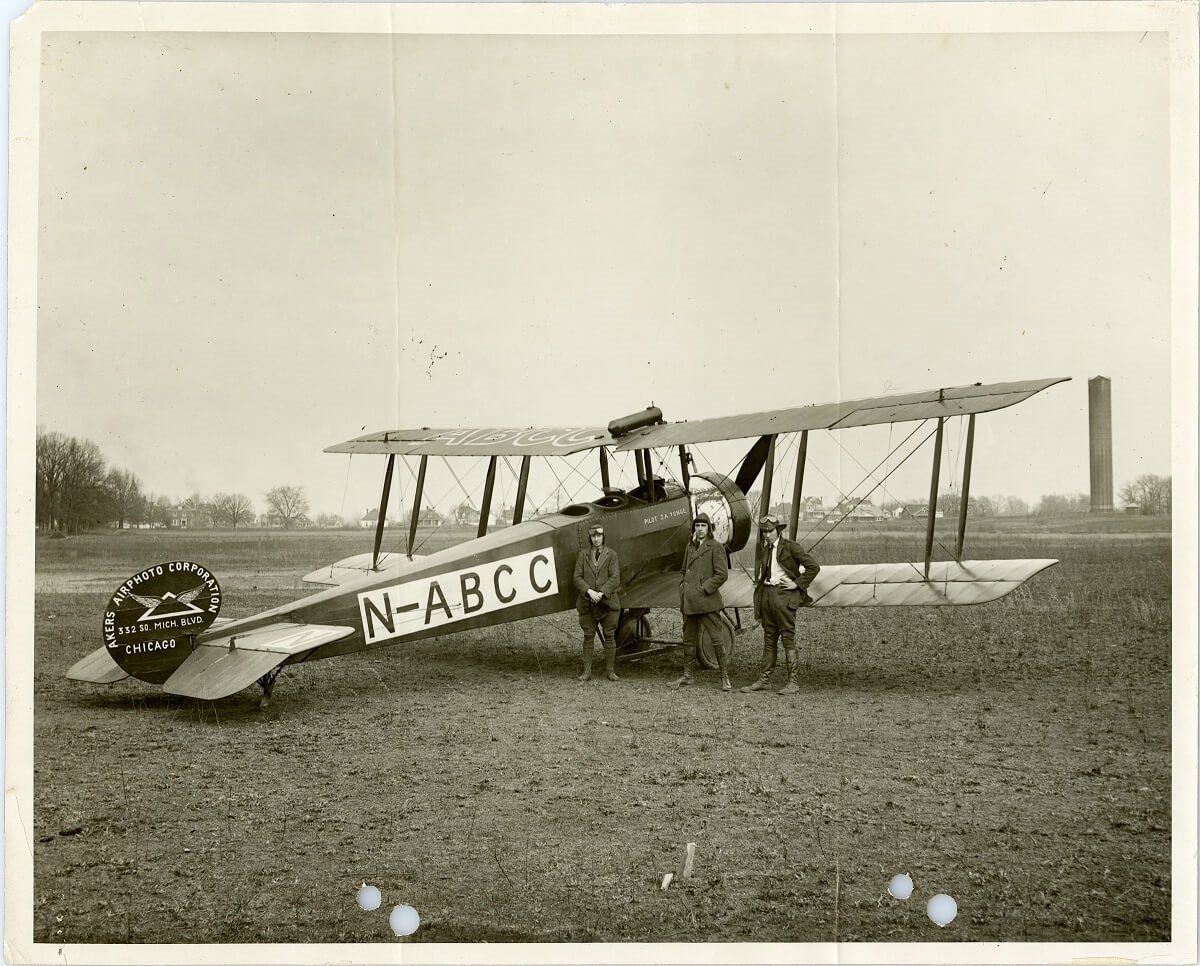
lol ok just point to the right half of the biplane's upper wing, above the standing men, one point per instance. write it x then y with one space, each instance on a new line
841 416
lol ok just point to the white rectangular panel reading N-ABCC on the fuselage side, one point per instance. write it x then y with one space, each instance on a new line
418 605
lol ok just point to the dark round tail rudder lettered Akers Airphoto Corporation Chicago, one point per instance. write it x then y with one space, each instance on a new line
152 620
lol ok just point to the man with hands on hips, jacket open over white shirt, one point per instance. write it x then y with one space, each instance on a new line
781 589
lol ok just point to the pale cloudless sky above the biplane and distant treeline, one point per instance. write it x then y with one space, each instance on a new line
255 245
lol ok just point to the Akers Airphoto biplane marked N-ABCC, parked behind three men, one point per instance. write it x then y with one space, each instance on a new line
161 626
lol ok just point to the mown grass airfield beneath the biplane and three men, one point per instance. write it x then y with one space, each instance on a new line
1015 755
